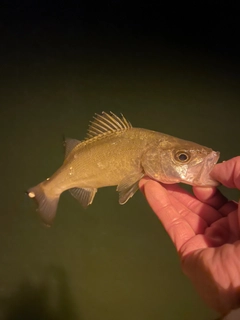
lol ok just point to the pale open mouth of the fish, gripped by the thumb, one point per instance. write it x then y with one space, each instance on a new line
203 178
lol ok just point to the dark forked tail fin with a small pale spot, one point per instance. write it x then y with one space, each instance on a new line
47 206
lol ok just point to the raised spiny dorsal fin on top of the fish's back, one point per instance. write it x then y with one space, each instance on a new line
107 123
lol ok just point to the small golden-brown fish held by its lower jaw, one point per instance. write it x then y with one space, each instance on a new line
114 153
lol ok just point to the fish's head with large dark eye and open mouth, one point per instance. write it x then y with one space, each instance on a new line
181 161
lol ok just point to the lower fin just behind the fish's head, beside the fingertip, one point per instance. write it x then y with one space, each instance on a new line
128 186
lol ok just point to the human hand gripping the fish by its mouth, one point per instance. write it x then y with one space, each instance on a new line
205 229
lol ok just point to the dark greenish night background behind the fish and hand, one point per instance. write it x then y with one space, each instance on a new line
166 67
